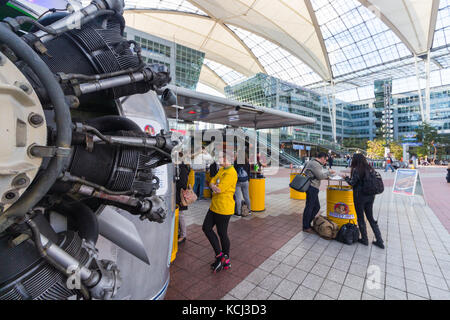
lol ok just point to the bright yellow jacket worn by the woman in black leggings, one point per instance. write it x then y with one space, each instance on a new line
223 202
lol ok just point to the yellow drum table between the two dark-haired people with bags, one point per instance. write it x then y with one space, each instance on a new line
340 206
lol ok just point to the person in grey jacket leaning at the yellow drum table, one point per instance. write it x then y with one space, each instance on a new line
314 170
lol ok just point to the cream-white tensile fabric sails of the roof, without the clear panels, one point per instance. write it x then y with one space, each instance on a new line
290 24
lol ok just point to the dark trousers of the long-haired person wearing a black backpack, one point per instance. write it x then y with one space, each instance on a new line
364 205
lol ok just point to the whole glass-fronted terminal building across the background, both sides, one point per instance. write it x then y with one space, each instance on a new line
356 121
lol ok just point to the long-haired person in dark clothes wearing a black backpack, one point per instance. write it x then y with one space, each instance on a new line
363 202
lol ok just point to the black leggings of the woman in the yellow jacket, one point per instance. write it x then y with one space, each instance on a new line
221 223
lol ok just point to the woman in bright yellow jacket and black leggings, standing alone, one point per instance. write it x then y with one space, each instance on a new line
223 186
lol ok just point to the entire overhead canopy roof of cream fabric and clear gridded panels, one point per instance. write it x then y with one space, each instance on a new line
305 42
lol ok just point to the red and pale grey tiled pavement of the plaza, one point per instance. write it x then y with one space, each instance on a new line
272 258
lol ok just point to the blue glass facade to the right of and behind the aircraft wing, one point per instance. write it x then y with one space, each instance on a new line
362 120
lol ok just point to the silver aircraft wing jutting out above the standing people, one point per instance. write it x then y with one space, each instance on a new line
212 109
